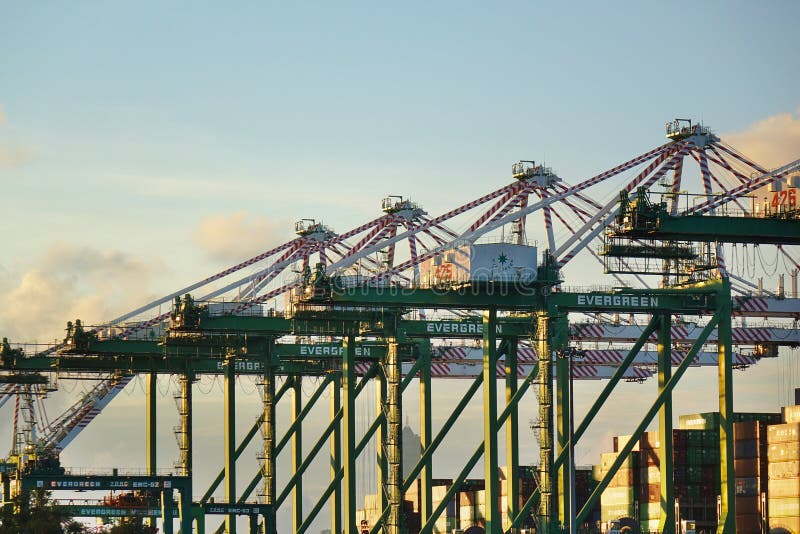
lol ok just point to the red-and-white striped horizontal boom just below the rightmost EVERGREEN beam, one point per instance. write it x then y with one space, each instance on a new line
620 333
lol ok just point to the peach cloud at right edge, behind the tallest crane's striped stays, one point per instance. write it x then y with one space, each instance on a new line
771 142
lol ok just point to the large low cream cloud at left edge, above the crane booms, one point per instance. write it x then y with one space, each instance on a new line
68 283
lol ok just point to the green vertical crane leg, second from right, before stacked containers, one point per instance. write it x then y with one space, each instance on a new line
667 517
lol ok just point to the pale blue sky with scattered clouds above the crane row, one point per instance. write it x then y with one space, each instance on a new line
145 146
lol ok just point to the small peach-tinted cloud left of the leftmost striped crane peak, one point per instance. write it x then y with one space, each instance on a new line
237 236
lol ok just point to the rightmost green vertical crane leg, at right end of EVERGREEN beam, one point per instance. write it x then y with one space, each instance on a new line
727 523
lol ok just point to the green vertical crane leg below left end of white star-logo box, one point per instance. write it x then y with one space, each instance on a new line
490 426
